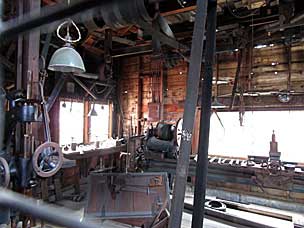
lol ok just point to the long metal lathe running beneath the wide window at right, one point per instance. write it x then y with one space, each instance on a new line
257 178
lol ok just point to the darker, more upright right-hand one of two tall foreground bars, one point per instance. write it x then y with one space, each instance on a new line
202 164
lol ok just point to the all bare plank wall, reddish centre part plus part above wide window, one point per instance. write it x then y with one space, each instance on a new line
267 70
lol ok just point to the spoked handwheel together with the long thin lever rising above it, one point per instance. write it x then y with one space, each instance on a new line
48 157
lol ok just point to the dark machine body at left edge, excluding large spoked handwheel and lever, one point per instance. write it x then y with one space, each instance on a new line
21 113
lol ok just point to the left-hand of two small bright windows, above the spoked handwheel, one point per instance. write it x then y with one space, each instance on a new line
71 122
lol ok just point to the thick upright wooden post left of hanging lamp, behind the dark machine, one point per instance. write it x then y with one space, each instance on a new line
28 78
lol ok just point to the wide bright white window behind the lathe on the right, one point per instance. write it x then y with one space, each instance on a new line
253 138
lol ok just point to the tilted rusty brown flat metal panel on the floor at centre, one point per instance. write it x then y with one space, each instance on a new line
132 198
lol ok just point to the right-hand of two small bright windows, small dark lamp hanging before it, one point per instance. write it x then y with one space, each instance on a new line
99 129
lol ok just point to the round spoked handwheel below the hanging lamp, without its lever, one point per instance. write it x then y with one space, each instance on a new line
47 159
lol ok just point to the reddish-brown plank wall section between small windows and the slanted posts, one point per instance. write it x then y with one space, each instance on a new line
139 68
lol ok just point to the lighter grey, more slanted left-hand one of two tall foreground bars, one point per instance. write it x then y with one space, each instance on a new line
189 114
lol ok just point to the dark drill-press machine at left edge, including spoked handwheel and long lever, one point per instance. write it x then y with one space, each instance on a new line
21 159
